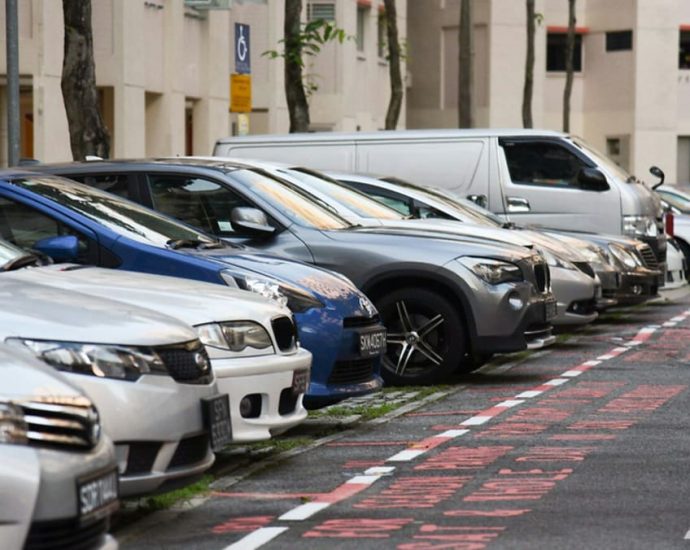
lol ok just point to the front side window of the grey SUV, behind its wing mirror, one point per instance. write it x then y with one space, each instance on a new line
197 201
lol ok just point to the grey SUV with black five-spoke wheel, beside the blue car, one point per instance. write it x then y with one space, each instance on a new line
441 299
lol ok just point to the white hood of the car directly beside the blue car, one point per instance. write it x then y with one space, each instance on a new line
192 302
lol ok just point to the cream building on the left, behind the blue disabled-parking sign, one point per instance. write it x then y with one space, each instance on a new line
163 69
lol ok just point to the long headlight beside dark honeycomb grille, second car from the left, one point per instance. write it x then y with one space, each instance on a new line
104 361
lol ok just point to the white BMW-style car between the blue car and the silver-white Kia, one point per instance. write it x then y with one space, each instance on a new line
251 341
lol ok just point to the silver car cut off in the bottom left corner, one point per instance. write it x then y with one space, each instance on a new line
58 475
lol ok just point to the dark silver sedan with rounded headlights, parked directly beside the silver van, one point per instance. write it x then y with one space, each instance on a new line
623 281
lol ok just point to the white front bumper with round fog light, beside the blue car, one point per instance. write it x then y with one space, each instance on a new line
266 383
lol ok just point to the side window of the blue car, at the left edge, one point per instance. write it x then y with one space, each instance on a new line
25 226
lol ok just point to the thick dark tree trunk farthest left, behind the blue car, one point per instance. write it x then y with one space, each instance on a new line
87 131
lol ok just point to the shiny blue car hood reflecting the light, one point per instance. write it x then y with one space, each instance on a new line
333 290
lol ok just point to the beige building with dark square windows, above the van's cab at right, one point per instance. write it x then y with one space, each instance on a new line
631 91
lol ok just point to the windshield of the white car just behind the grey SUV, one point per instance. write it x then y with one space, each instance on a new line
359 203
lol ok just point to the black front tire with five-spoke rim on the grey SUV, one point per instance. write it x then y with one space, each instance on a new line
426 337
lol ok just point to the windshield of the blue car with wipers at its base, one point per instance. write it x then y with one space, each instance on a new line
119 215
